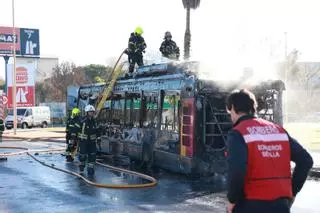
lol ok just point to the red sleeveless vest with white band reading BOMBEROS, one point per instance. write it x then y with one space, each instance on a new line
268 173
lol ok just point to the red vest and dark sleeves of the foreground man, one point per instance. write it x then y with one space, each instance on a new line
259 155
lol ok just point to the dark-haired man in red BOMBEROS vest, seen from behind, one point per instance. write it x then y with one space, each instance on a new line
259 155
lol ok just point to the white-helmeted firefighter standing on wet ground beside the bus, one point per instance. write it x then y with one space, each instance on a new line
88 134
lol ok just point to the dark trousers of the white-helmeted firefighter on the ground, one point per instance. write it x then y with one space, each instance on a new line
87 151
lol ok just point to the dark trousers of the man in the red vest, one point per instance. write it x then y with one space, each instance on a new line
254 206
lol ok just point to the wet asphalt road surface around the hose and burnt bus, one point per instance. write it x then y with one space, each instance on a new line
27 186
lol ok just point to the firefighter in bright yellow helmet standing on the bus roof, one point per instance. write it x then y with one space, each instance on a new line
136 48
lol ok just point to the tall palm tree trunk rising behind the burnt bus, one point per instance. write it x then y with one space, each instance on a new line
188 4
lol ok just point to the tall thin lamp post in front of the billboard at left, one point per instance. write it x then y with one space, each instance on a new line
14 74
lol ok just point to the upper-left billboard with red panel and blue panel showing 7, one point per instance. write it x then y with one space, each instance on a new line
27 41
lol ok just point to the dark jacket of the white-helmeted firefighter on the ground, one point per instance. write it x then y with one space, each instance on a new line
87 130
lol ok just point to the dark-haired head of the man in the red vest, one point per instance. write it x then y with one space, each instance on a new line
241 102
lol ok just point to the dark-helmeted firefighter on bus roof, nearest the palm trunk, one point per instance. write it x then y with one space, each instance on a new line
169 48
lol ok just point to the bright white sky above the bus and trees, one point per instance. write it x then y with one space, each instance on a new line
246 32
